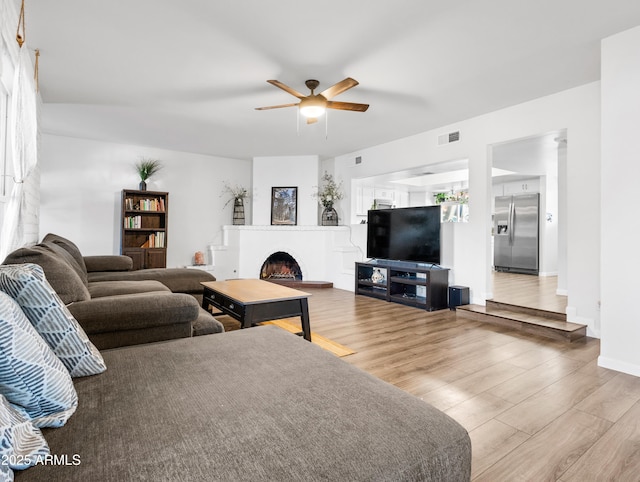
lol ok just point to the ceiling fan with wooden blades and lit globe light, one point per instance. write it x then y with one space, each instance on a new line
314 105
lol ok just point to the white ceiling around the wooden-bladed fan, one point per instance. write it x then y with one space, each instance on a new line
187 75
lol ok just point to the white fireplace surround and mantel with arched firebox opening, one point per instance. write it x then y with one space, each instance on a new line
324 253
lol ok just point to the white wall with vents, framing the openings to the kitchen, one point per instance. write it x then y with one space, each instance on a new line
577 110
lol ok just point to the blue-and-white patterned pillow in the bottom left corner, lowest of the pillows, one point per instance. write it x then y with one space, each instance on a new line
21 444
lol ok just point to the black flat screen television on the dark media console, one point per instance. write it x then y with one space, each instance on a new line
406 234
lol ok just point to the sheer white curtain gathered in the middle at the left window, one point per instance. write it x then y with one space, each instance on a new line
23 132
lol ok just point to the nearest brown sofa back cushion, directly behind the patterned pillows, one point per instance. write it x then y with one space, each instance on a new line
60 274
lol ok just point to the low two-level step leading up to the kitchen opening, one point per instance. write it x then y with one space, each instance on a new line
544 323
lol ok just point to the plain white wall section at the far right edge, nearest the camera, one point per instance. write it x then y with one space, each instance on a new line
620 256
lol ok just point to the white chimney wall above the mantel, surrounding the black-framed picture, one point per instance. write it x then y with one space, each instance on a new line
286 171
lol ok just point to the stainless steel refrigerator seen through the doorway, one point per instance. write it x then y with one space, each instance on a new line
516 233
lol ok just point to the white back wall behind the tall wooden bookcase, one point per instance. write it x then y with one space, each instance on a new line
82 180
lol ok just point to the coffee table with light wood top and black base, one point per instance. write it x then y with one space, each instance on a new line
252 301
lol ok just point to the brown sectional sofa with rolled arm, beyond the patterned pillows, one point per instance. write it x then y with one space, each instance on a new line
116 306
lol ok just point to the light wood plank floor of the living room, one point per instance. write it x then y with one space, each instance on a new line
536 409
